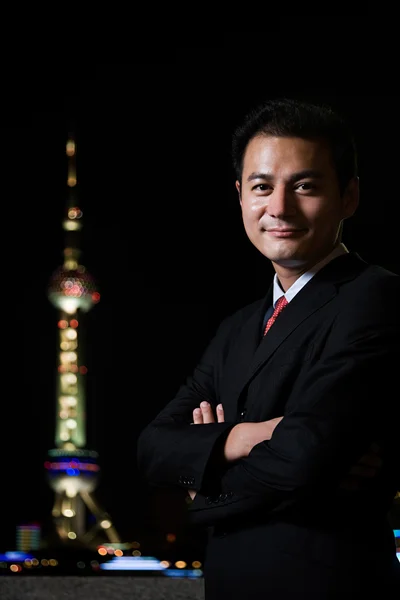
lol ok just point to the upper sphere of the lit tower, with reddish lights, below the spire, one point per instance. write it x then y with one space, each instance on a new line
70 289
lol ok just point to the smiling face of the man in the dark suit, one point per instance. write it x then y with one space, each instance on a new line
290 200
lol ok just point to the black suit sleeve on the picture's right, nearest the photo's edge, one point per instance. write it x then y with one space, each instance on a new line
334 412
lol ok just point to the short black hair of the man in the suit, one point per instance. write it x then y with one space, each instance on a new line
296 118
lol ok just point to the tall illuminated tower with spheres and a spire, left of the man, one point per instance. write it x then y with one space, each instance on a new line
73 469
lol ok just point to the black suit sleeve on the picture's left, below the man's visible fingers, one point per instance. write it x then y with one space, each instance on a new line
171 451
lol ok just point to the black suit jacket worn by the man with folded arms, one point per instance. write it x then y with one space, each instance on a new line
279 517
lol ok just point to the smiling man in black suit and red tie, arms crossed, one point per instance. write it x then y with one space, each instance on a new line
294 388
